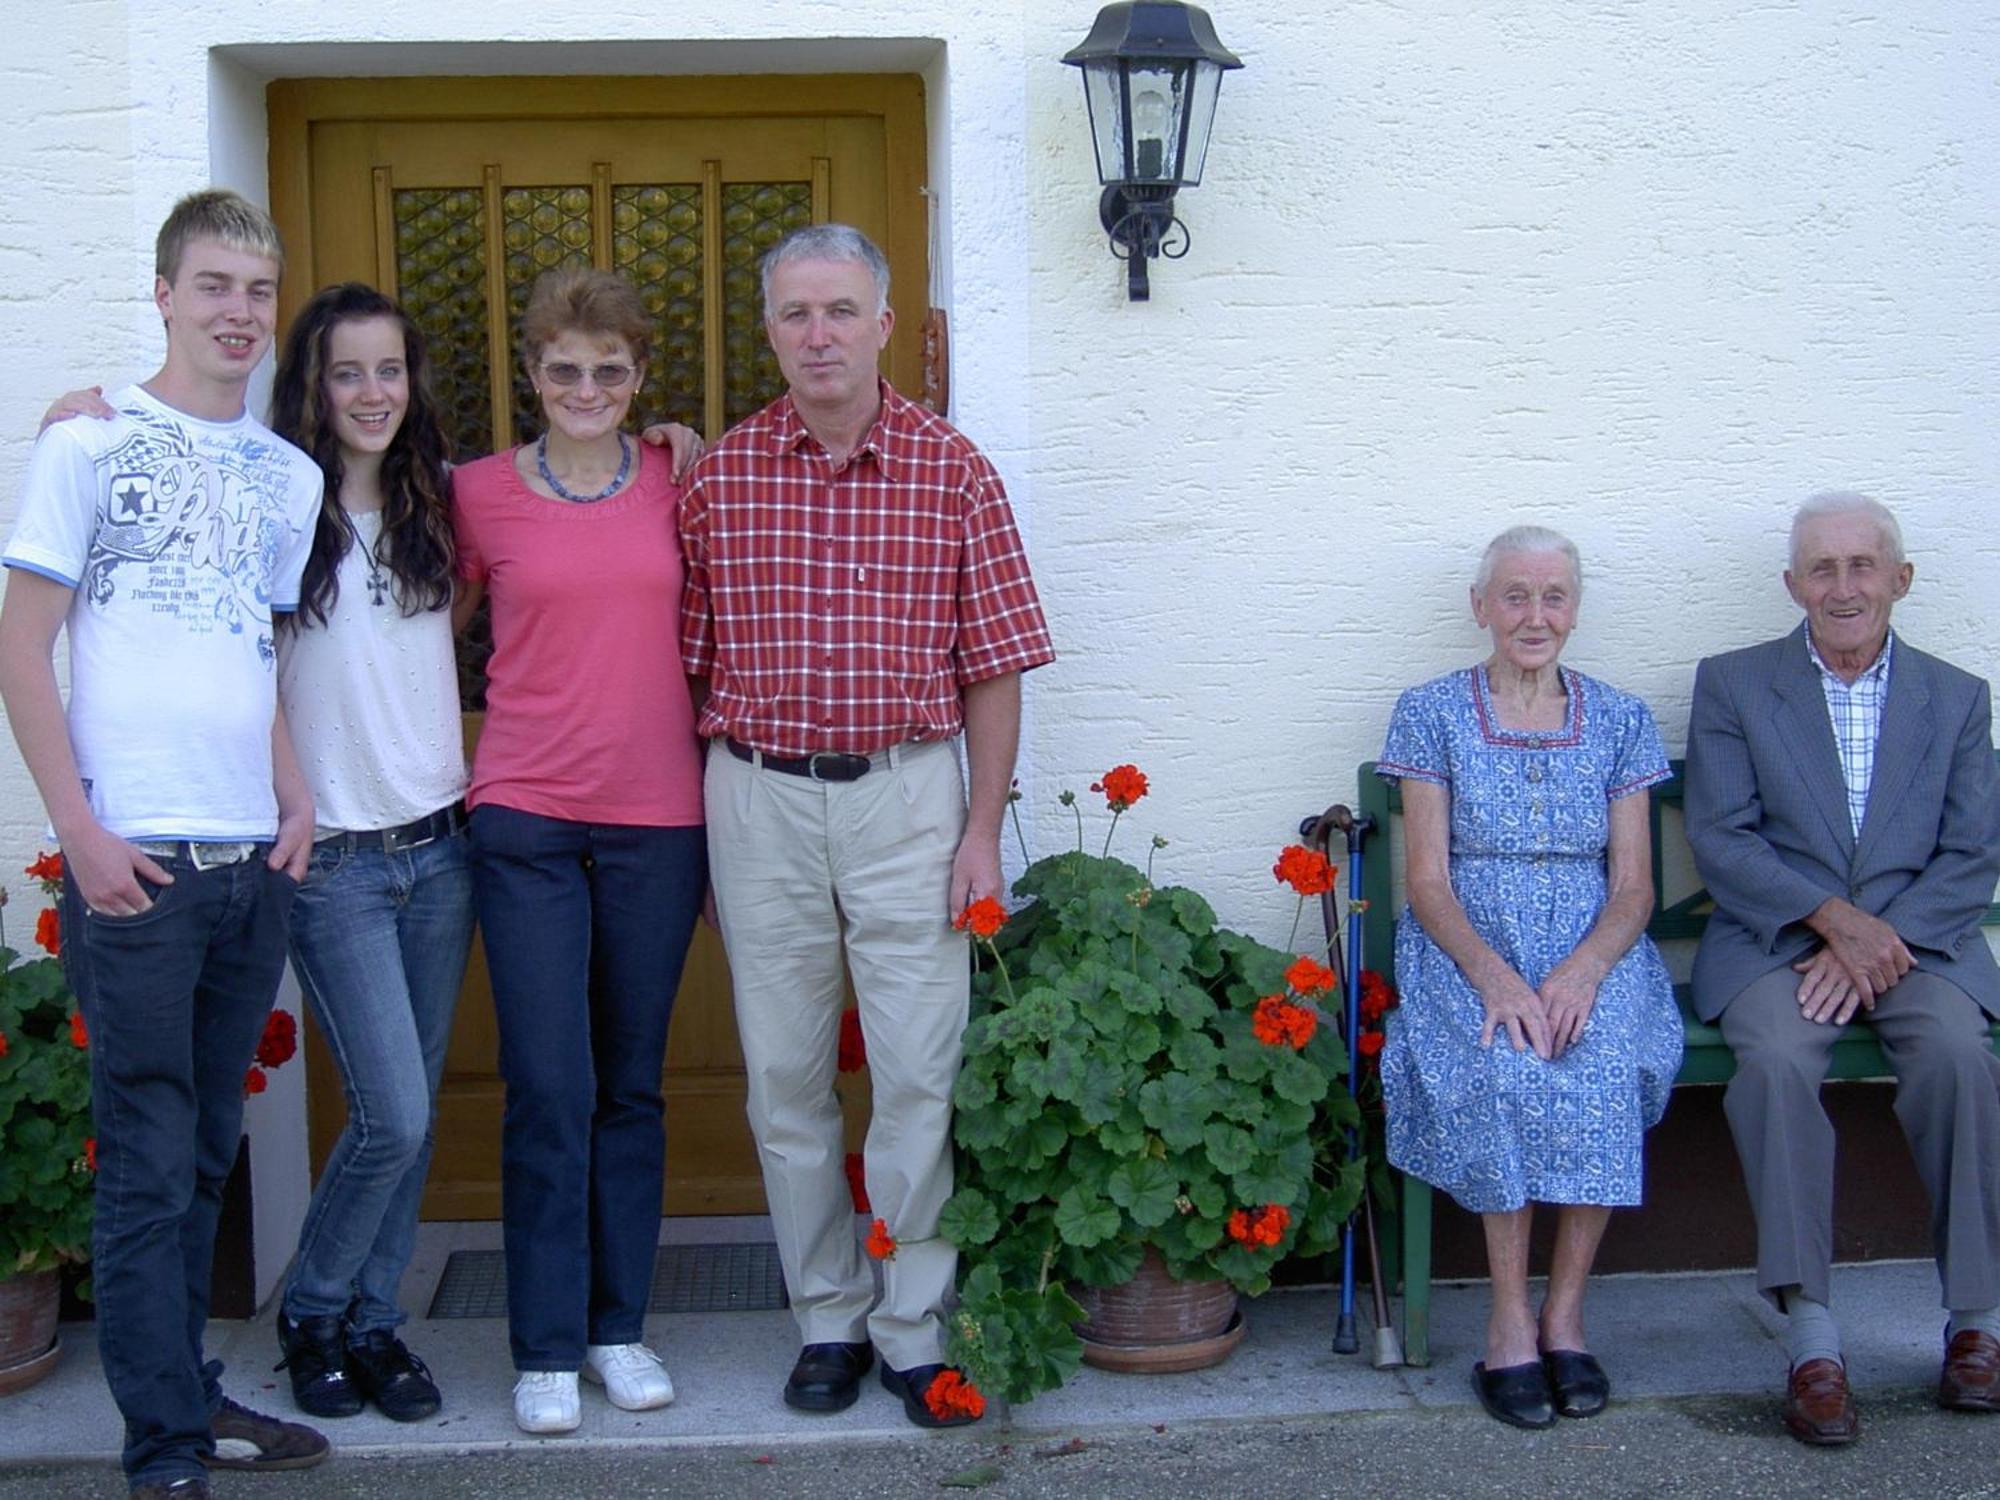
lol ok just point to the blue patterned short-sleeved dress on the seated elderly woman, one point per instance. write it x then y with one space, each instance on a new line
1531 821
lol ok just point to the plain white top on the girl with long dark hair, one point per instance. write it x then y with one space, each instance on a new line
373 701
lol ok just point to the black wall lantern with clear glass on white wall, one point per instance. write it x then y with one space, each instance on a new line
1153 71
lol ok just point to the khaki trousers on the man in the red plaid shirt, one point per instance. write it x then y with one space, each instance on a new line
807 871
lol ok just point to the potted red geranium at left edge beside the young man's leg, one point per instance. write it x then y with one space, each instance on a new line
47 1151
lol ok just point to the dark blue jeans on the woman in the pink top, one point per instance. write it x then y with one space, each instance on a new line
587 929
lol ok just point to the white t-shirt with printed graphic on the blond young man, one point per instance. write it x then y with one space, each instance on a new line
179 537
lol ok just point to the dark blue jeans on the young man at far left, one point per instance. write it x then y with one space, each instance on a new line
175 1001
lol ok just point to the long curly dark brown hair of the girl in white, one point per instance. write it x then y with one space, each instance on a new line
417 525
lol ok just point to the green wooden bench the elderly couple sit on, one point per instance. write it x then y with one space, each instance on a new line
1709 1059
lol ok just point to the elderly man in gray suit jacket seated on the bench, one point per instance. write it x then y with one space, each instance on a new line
1845 817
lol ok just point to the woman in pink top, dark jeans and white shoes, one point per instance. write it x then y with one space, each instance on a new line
587 841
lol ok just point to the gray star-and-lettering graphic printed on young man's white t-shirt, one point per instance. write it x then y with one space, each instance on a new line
191 533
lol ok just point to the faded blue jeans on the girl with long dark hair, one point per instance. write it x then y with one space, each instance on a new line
379 943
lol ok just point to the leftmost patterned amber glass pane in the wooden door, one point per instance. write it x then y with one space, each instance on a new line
441 271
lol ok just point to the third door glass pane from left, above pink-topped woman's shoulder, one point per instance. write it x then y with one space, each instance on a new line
657 243
